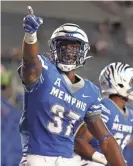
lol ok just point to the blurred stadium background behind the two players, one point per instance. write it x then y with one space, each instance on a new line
109 26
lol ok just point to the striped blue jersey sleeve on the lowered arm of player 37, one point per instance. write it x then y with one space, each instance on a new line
95 111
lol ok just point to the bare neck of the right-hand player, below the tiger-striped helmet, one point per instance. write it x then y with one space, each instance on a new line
118 101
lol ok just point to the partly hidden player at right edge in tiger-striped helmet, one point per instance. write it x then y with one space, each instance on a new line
116 82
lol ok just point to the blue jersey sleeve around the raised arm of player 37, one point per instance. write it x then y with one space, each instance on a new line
45 67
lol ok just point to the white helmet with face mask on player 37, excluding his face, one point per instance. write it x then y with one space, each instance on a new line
69 32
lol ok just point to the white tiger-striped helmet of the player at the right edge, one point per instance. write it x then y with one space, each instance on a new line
117 78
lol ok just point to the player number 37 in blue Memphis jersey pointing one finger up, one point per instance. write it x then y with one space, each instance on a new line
56 98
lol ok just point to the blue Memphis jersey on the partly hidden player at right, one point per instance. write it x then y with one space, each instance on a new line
119 123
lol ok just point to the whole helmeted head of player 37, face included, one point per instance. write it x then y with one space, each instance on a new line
69 46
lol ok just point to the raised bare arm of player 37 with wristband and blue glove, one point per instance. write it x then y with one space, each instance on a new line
31 66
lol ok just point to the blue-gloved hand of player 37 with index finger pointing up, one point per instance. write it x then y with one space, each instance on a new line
31 23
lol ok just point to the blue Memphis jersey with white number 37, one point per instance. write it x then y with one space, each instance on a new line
53 110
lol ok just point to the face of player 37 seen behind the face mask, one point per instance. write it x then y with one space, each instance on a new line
68 51
